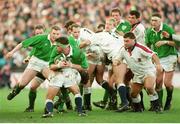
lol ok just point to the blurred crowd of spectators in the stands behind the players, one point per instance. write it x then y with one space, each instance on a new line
18 17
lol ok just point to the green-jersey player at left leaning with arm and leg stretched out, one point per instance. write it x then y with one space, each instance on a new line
43 45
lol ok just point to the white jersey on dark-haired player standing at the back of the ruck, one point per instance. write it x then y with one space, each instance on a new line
139 32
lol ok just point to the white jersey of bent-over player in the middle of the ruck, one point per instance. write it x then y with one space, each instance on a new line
109 43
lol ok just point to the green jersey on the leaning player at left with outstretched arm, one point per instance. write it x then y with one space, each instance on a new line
41 44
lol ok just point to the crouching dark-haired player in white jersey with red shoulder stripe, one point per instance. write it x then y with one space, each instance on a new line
139 58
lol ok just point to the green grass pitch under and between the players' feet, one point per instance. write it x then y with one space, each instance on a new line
12 111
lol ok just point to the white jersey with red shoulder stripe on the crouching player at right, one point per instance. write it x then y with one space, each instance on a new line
139 59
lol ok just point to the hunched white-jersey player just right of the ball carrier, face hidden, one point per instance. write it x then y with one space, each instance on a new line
96 68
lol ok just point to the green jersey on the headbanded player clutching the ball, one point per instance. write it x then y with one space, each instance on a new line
78 57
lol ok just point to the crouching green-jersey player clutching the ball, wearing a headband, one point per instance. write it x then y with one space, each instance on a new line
66 62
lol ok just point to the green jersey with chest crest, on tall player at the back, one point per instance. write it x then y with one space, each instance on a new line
124 27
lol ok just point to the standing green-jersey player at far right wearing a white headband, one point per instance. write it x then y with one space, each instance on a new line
165 49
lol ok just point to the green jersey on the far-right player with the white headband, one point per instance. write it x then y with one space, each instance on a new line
152 37
